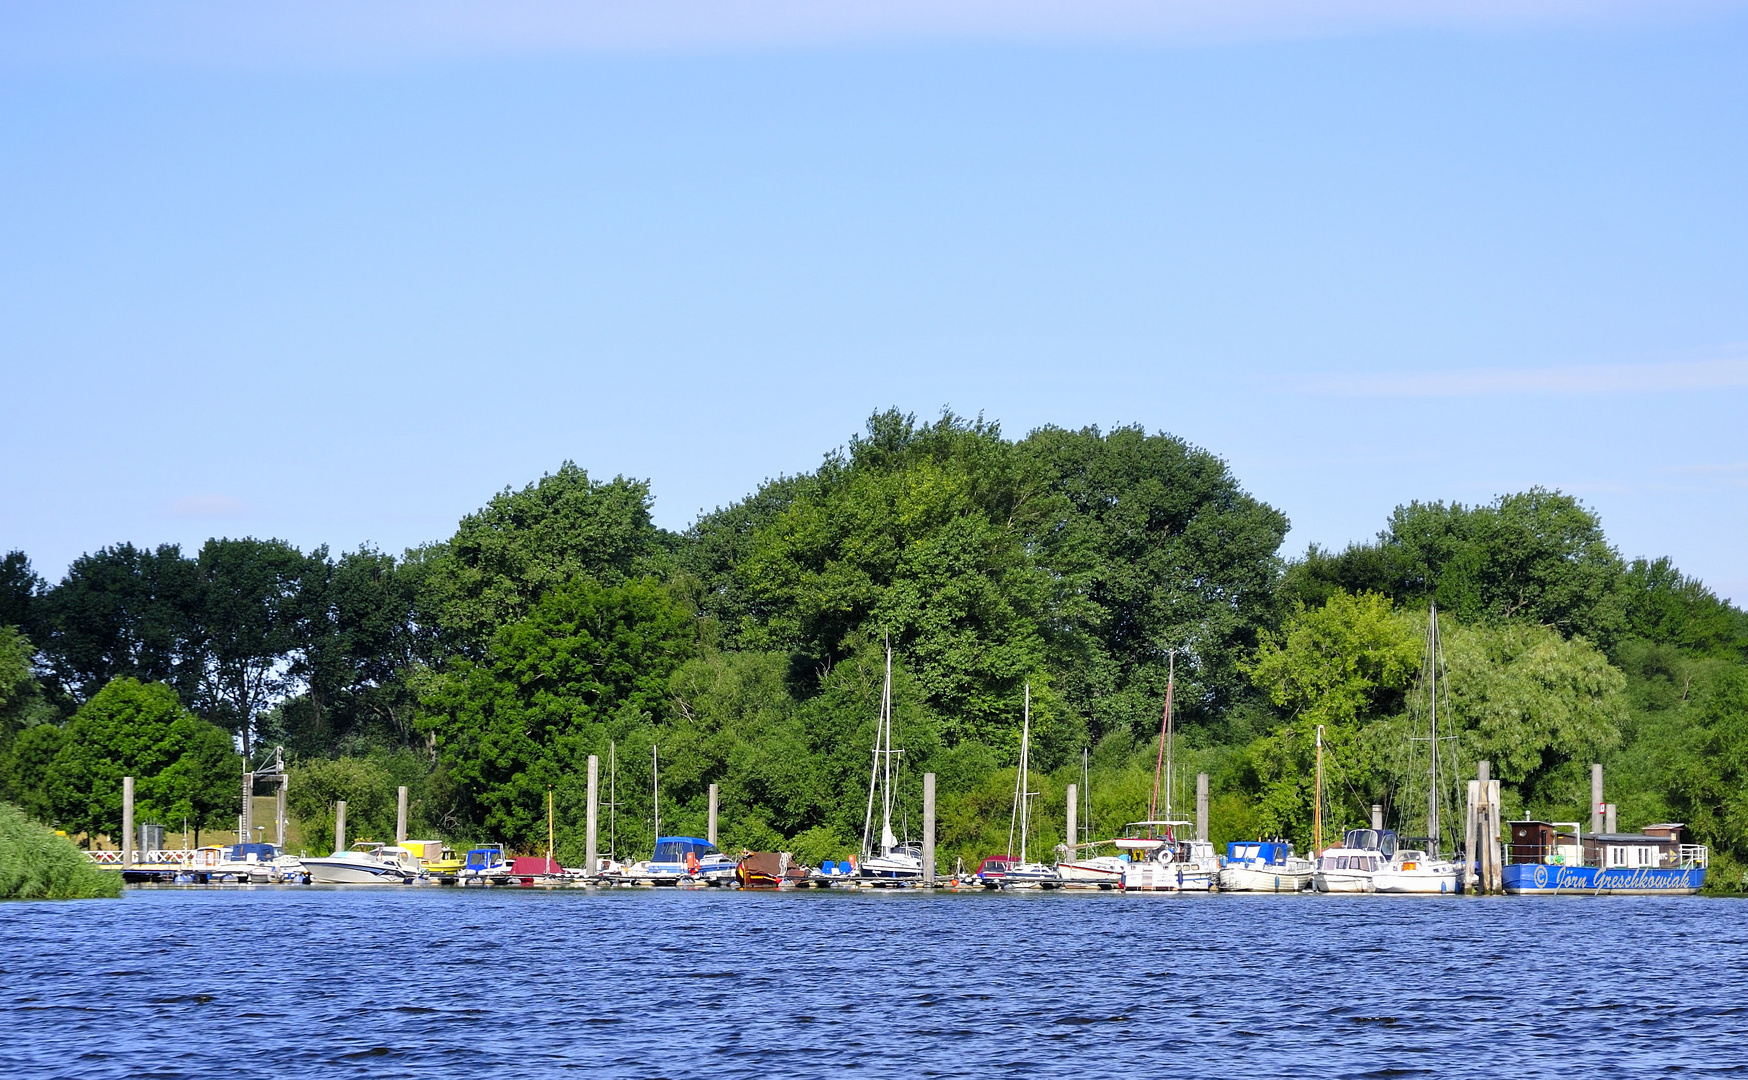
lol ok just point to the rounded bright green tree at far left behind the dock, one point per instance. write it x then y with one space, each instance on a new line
183 766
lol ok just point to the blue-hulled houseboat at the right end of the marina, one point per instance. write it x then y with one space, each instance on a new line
1546 859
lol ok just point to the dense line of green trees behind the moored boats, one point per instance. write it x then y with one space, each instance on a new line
749 651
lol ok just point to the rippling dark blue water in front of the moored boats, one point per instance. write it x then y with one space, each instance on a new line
427 981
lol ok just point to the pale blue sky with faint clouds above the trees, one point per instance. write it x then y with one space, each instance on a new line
342 282
